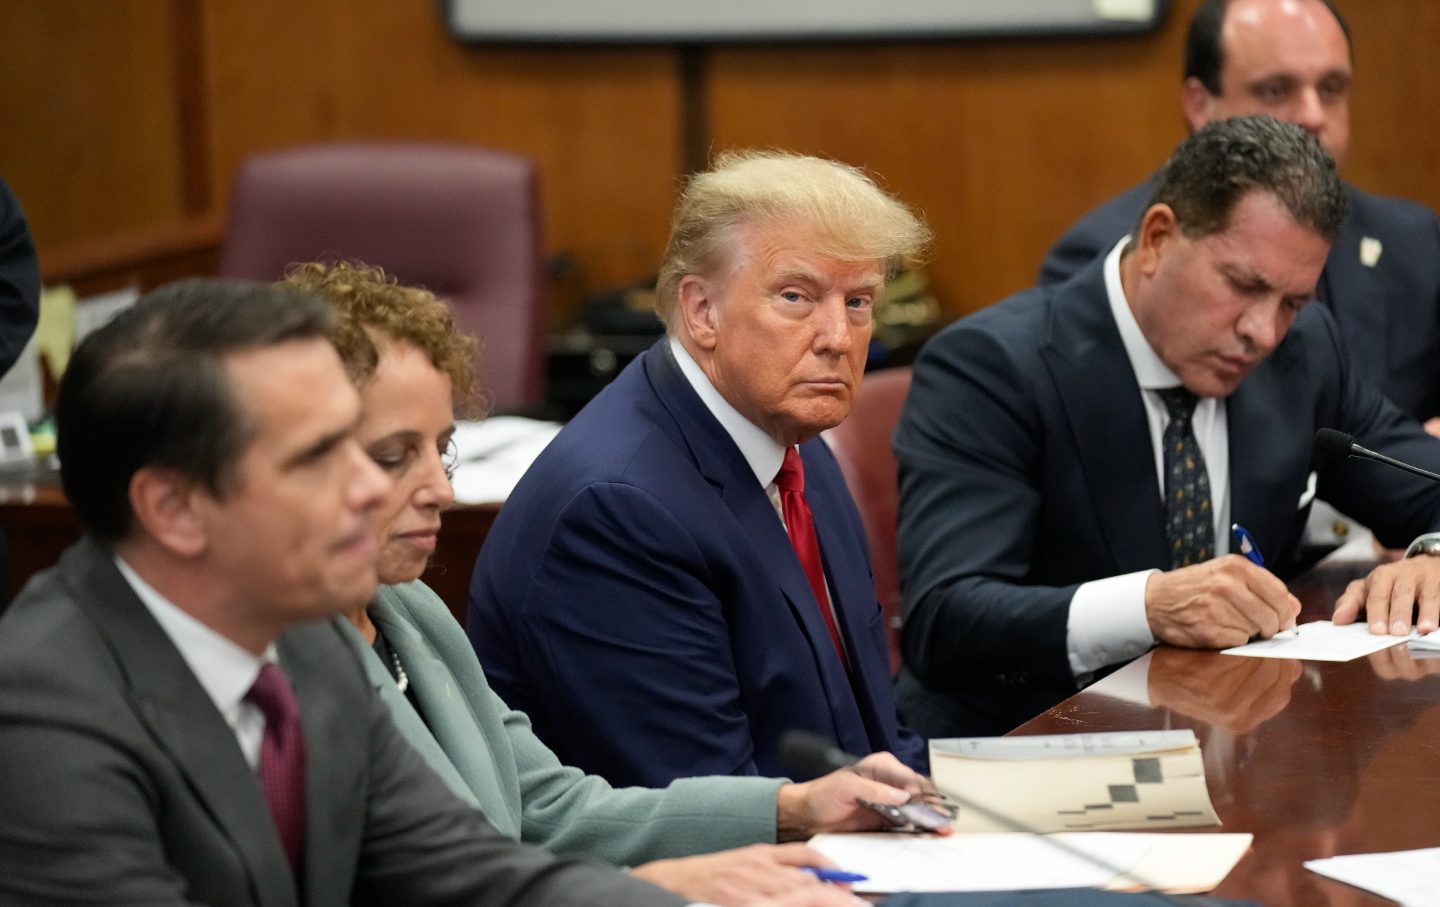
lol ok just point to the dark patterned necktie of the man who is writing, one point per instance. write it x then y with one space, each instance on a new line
1190 523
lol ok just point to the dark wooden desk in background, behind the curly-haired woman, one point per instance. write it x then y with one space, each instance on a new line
40 525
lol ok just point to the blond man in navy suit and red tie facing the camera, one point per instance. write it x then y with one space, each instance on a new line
642 597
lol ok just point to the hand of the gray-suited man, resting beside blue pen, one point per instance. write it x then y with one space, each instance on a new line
748 876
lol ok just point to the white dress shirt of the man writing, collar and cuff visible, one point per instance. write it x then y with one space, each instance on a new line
1108 621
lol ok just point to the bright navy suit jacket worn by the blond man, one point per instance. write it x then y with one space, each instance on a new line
640 600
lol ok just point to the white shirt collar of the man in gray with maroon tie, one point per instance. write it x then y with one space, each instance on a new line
224 669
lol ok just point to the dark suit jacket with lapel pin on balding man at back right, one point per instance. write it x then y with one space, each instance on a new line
1389 313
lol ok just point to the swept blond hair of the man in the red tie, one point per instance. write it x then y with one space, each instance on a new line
842 212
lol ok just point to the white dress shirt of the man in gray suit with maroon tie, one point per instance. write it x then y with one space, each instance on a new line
225 670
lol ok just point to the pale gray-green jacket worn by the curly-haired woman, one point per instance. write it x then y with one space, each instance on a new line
489 755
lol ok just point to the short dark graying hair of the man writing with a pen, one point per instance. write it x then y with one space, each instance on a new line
1220 165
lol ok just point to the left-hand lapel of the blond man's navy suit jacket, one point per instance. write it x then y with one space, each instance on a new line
721 463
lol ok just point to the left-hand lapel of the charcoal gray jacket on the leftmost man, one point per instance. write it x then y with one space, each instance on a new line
184 719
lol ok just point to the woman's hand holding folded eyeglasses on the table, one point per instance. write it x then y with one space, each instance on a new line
830 804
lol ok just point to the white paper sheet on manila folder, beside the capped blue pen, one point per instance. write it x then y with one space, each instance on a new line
980 863
